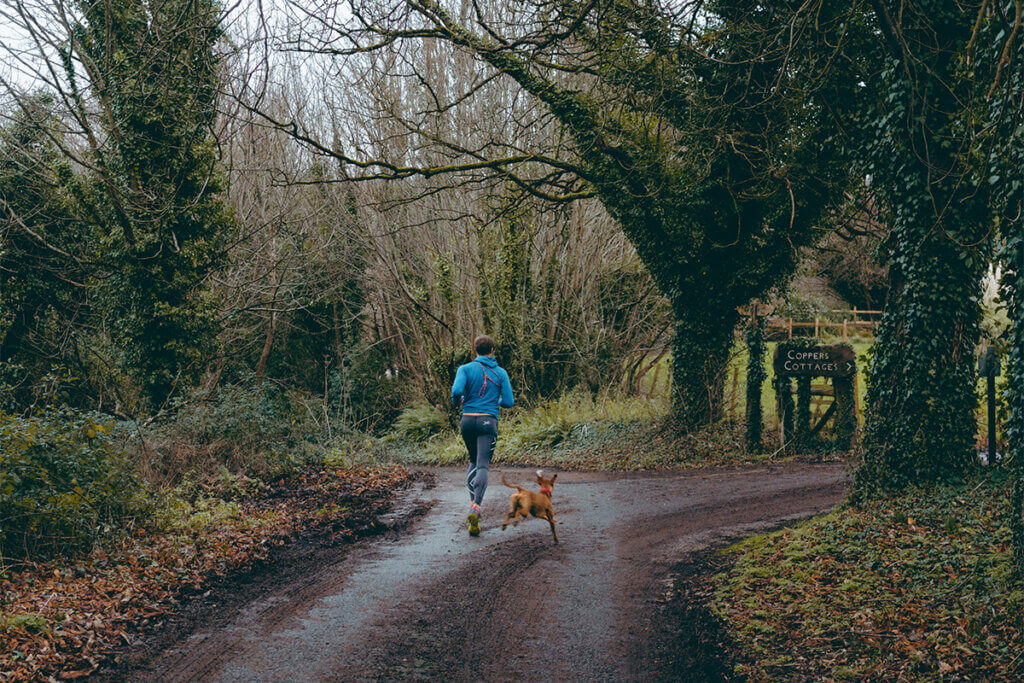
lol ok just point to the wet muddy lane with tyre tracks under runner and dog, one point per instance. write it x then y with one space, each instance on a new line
435 603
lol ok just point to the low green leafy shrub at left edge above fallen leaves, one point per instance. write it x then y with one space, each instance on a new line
64 483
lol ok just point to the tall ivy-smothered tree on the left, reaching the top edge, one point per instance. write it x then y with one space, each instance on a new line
153 204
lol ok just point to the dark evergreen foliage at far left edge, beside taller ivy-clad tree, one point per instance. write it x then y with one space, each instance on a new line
42 265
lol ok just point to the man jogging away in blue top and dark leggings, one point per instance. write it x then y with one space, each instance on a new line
483 389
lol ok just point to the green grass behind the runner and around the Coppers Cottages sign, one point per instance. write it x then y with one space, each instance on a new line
611 432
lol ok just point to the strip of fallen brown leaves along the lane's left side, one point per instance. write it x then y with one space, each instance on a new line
62 619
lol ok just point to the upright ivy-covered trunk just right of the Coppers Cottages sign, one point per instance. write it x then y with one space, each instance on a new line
921 423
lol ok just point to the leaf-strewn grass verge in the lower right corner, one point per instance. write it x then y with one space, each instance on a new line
911 587
